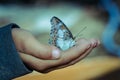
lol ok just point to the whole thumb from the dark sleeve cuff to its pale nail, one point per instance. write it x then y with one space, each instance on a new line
27 43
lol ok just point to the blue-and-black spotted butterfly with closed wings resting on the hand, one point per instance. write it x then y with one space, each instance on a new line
60 35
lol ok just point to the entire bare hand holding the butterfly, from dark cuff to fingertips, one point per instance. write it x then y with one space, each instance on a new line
45 58
